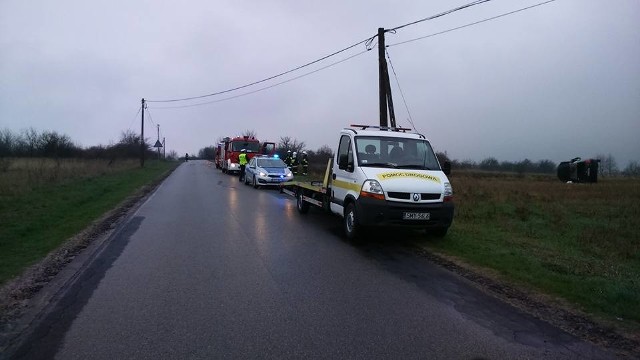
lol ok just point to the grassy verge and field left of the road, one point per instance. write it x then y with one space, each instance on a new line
41 216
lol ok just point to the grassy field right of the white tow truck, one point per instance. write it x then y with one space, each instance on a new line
579 242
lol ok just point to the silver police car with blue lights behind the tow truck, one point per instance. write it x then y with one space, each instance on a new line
266 171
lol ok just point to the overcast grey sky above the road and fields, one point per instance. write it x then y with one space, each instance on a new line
553 82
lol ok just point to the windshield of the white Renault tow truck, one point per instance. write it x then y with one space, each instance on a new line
394 152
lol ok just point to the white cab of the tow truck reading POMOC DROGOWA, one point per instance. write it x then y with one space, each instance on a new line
389 177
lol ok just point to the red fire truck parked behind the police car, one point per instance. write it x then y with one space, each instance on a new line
229 149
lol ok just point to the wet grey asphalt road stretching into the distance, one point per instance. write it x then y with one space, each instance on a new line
209 268
